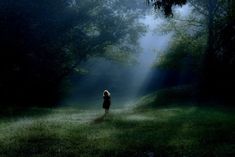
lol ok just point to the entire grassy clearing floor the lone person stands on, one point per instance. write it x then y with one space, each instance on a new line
173 130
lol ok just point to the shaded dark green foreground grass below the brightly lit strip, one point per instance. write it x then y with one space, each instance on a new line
186 131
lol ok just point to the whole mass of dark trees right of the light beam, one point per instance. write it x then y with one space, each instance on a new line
210 67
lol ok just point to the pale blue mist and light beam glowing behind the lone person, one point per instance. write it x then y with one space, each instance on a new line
126 82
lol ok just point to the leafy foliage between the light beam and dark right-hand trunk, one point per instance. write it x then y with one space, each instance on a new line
182 60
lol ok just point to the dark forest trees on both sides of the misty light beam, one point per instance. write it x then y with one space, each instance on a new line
43 42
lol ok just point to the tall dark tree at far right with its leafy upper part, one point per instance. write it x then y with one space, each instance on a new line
218 65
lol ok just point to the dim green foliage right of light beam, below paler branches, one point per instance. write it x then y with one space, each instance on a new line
185 52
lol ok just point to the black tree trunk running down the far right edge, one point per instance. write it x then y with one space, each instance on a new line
218 64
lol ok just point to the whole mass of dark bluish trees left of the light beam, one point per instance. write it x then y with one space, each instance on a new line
42 42
